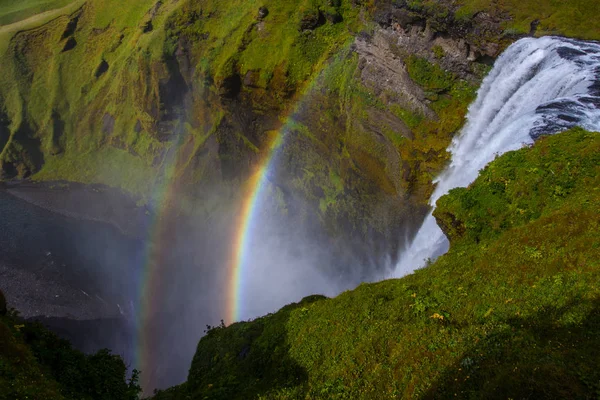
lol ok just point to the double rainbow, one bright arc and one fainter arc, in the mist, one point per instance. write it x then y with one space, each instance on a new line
149 294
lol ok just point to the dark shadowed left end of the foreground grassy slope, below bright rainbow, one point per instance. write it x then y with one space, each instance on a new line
247 359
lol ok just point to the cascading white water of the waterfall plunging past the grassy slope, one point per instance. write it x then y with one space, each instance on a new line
537 87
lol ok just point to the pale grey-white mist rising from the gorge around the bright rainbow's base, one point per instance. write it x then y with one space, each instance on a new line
288 257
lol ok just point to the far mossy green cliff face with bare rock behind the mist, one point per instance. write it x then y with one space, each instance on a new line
191 93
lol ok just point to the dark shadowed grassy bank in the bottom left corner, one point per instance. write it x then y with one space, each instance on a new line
35 364
